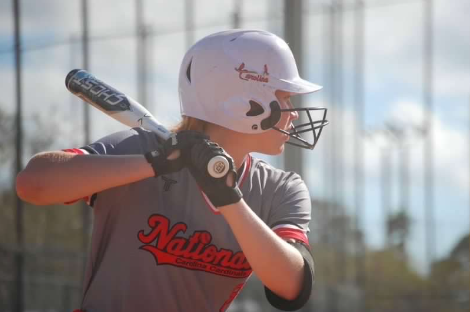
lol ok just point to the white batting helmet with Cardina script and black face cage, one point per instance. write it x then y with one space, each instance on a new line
230 79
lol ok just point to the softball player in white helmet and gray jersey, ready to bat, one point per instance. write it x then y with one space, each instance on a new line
166 235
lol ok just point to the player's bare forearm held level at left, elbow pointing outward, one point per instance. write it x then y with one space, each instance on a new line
57 177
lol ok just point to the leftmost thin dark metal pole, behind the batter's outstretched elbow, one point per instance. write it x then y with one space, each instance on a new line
18 304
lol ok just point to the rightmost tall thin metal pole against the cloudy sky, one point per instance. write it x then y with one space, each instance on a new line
429 144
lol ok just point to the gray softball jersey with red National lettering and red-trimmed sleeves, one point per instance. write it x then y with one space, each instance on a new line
158 245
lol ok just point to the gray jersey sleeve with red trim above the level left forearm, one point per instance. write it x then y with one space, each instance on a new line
127 142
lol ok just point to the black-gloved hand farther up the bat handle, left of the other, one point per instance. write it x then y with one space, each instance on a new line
172 155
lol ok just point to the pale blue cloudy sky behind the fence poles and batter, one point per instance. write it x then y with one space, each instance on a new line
393 86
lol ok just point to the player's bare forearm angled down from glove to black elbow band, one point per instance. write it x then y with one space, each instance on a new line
278 265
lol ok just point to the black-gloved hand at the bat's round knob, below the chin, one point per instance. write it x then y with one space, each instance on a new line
220 191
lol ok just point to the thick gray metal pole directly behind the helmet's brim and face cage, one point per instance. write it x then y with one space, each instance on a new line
293 35
